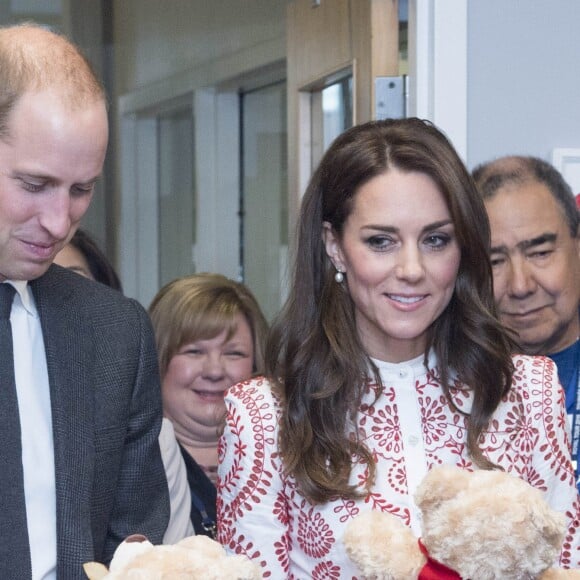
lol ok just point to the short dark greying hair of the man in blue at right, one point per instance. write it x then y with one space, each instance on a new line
518 170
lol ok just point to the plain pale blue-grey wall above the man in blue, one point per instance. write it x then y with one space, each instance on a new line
523 73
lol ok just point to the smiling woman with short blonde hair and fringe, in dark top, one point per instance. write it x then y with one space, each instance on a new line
210 333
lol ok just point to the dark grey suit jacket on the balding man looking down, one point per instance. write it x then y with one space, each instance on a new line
106 412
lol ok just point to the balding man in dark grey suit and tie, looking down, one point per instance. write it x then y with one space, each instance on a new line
80 467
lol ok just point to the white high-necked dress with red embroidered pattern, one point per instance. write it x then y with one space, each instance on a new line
410 428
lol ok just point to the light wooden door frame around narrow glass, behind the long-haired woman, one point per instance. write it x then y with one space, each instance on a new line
323 40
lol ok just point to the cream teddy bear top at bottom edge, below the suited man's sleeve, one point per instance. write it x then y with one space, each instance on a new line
192 558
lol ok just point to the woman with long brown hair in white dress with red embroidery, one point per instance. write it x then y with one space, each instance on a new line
386 360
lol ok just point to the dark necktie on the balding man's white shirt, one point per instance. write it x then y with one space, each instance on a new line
14 546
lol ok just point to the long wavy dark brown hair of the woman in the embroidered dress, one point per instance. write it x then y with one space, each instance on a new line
314 355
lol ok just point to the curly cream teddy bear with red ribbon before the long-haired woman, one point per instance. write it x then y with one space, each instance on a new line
481 525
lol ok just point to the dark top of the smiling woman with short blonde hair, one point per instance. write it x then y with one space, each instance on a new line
203 497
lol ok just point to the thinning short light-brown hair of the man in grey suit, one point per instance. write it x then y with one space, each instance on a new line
33 58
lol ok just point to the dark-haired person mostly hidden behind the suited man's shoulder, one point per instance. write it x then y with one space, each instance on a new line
83 255
